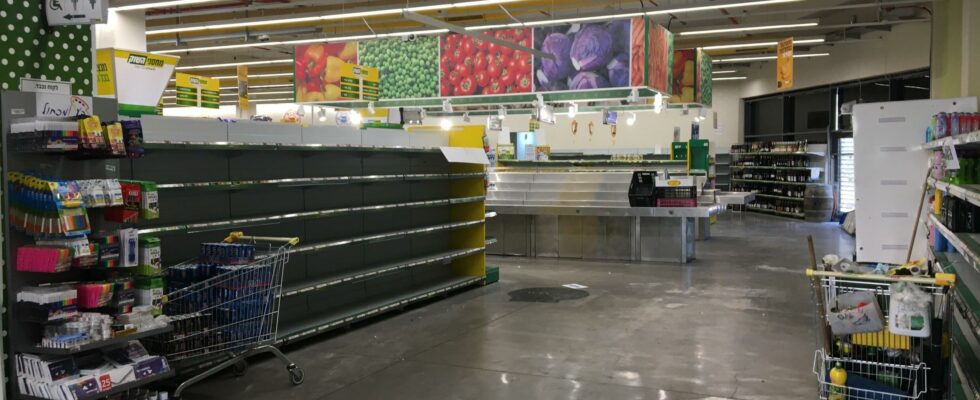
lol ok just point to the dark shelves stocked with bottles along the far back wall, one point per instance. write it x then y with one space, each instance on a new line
786 177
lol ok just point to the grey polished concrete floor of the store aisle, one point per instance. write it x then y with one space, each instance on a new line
735 324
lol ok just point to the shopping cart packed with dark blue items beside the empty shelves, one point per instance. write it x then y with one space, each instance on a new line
226 309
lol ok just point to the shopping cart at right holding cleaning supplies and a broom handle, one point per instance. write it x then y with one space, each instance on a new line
881 365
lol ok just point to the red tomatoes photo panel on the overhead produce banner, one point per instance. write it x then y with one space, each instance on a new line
470 66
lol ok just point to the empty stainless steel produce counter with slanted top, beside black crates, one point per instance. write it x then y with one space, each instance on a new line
586 215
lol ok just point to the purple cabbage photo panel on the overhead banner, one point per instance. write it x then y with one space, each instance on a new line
587 56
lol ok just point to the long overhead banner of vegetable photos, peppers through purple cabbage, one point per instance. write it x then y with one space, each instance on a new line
592 56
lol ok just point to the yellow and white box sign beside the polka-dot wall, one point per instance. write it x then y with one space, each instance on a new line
144 75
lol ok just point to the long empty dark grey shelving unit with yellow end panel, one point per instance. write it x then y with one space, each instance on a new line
384 220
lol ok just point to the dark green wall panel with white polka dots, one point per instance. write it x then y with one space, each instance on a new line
31 49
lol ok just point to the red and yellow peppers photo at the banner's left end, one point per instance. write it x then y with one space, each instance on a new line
318 69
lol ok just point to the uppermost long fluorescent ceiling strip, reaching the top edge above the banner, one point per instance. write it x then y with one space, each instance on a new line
356 14
